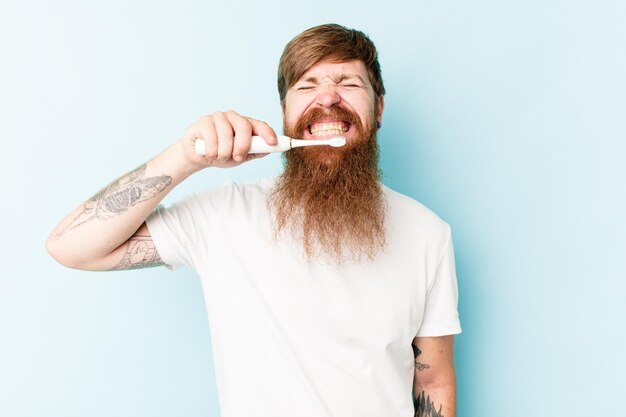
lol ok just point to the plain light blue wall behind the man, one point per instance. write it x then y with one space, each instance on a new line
506 118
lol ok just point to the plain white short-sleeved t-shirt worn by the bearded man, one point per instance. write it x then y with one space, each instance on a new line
291 338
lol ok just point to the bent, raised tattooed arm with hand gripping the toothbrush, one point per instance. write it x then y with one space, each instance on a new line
108 231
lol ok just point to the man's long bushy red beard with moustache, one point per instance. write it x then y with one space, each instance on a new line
330 199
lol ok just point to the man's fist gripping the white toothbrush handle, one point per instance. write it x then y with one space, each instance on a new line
227 137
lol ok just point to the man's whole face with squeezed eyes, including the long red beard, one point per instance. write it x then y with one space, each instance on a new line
330 199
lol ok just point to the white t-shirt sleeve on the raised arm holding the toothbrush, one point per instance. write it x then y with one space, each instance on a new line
174 233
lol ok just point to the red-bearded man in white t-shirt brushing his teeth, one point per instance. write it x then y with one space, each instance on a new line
343 290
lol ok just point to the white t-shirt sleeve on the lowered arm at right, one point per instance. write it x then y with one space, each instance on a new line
441 315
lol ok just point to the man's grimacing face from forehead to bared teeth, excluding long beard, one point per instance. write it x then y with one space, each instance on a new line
329 99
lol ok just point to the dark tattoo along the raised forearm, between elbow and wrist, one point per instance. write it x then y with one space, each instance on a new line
119 196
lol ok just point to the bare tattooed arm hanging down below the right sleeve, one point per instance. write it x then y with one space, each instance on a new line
434 384
